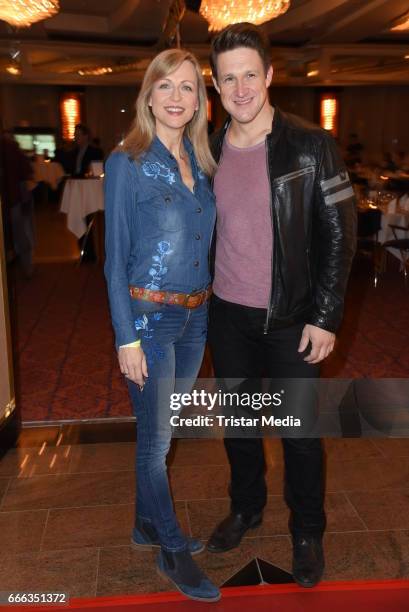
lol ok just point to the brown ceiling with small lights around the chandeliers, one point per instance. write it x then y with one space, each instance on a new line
317 42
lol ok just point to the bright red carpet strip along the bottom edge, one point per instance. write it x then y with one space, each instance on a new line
384 596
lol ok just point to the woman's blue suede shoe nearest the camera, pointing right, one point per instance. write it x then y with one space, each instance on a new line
187 577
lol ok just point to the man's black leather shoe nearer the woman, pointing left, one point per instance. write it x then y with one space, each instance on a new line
229 532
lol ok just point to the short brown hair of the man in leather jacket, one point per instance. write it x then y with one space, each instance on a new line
240 35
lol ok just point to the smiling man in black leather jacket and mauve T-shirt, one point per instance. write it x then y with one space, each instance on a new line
285 241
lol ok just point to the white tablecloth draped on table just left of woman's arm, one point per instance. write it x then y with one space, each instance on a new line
81 197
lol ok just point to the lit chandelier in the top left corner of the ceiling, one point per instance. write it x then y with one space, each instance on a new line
22 13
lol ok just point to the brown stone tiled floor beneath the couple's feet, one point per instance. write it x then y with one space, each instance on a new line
66 513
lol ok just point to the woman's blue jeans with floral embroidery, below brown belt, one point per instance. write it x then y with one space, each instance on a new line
173 339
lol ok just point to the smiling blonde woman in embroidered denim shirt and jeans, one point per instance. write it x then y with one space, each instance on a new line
160 215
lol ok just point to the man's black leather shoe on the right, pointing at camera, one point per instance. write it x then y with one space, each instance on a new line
308 560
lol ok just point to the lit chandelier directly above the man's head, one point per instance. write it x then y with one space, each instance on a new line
221 13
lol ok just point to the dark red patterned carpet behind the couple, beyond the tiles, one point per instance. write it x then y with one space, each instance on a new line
67 366
